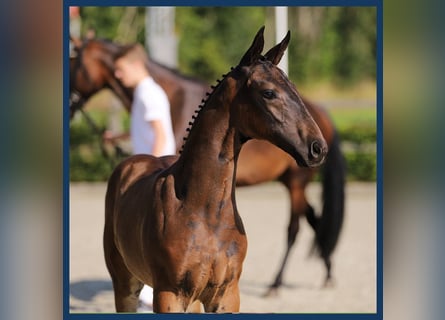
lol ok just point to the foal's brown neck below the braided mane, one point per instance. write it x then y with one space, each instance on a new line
208 158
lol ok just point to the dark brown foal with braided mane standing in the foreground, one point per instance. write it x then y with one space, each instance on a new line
172 222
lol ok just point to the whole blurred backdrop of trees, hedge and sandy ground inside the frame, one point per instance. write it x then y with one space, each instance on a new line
332 59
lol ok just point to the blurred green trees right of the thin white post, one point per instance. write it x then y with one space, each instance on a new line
340 46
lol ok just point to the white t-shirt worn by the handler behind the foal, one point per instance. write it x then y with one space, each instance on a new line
150 102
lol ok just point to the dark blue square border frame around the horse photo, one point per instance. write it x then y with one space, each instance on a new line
66 165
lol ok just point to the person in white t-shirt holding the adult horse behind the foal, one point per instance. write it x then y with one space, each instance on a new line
150 123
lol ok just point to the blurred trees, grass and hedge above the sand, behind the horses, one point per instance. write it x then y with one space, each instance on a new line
331 59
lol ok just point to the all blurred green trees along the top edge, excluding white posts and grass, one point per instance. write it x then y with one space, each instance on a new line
328 43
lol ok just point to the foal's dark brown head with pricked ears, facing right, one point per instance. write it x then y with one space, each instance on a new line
270 108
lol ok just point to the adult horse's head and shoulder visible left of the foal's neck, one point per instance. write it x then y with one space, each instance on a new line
92 69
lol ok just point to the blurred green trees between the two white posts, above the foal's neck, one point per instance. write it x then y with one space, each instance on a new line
210 41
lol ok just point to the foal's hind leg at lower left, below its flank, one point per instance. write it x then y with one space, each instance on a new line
126 286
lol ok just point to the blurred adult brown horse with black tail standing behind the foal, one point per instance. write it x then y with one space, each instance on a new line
259 161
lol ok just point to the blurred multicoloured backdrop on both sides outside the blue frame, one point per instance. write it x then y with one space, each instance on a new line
32 188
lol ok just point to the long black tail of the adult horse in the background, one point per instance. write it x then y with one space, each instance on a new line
333 183
